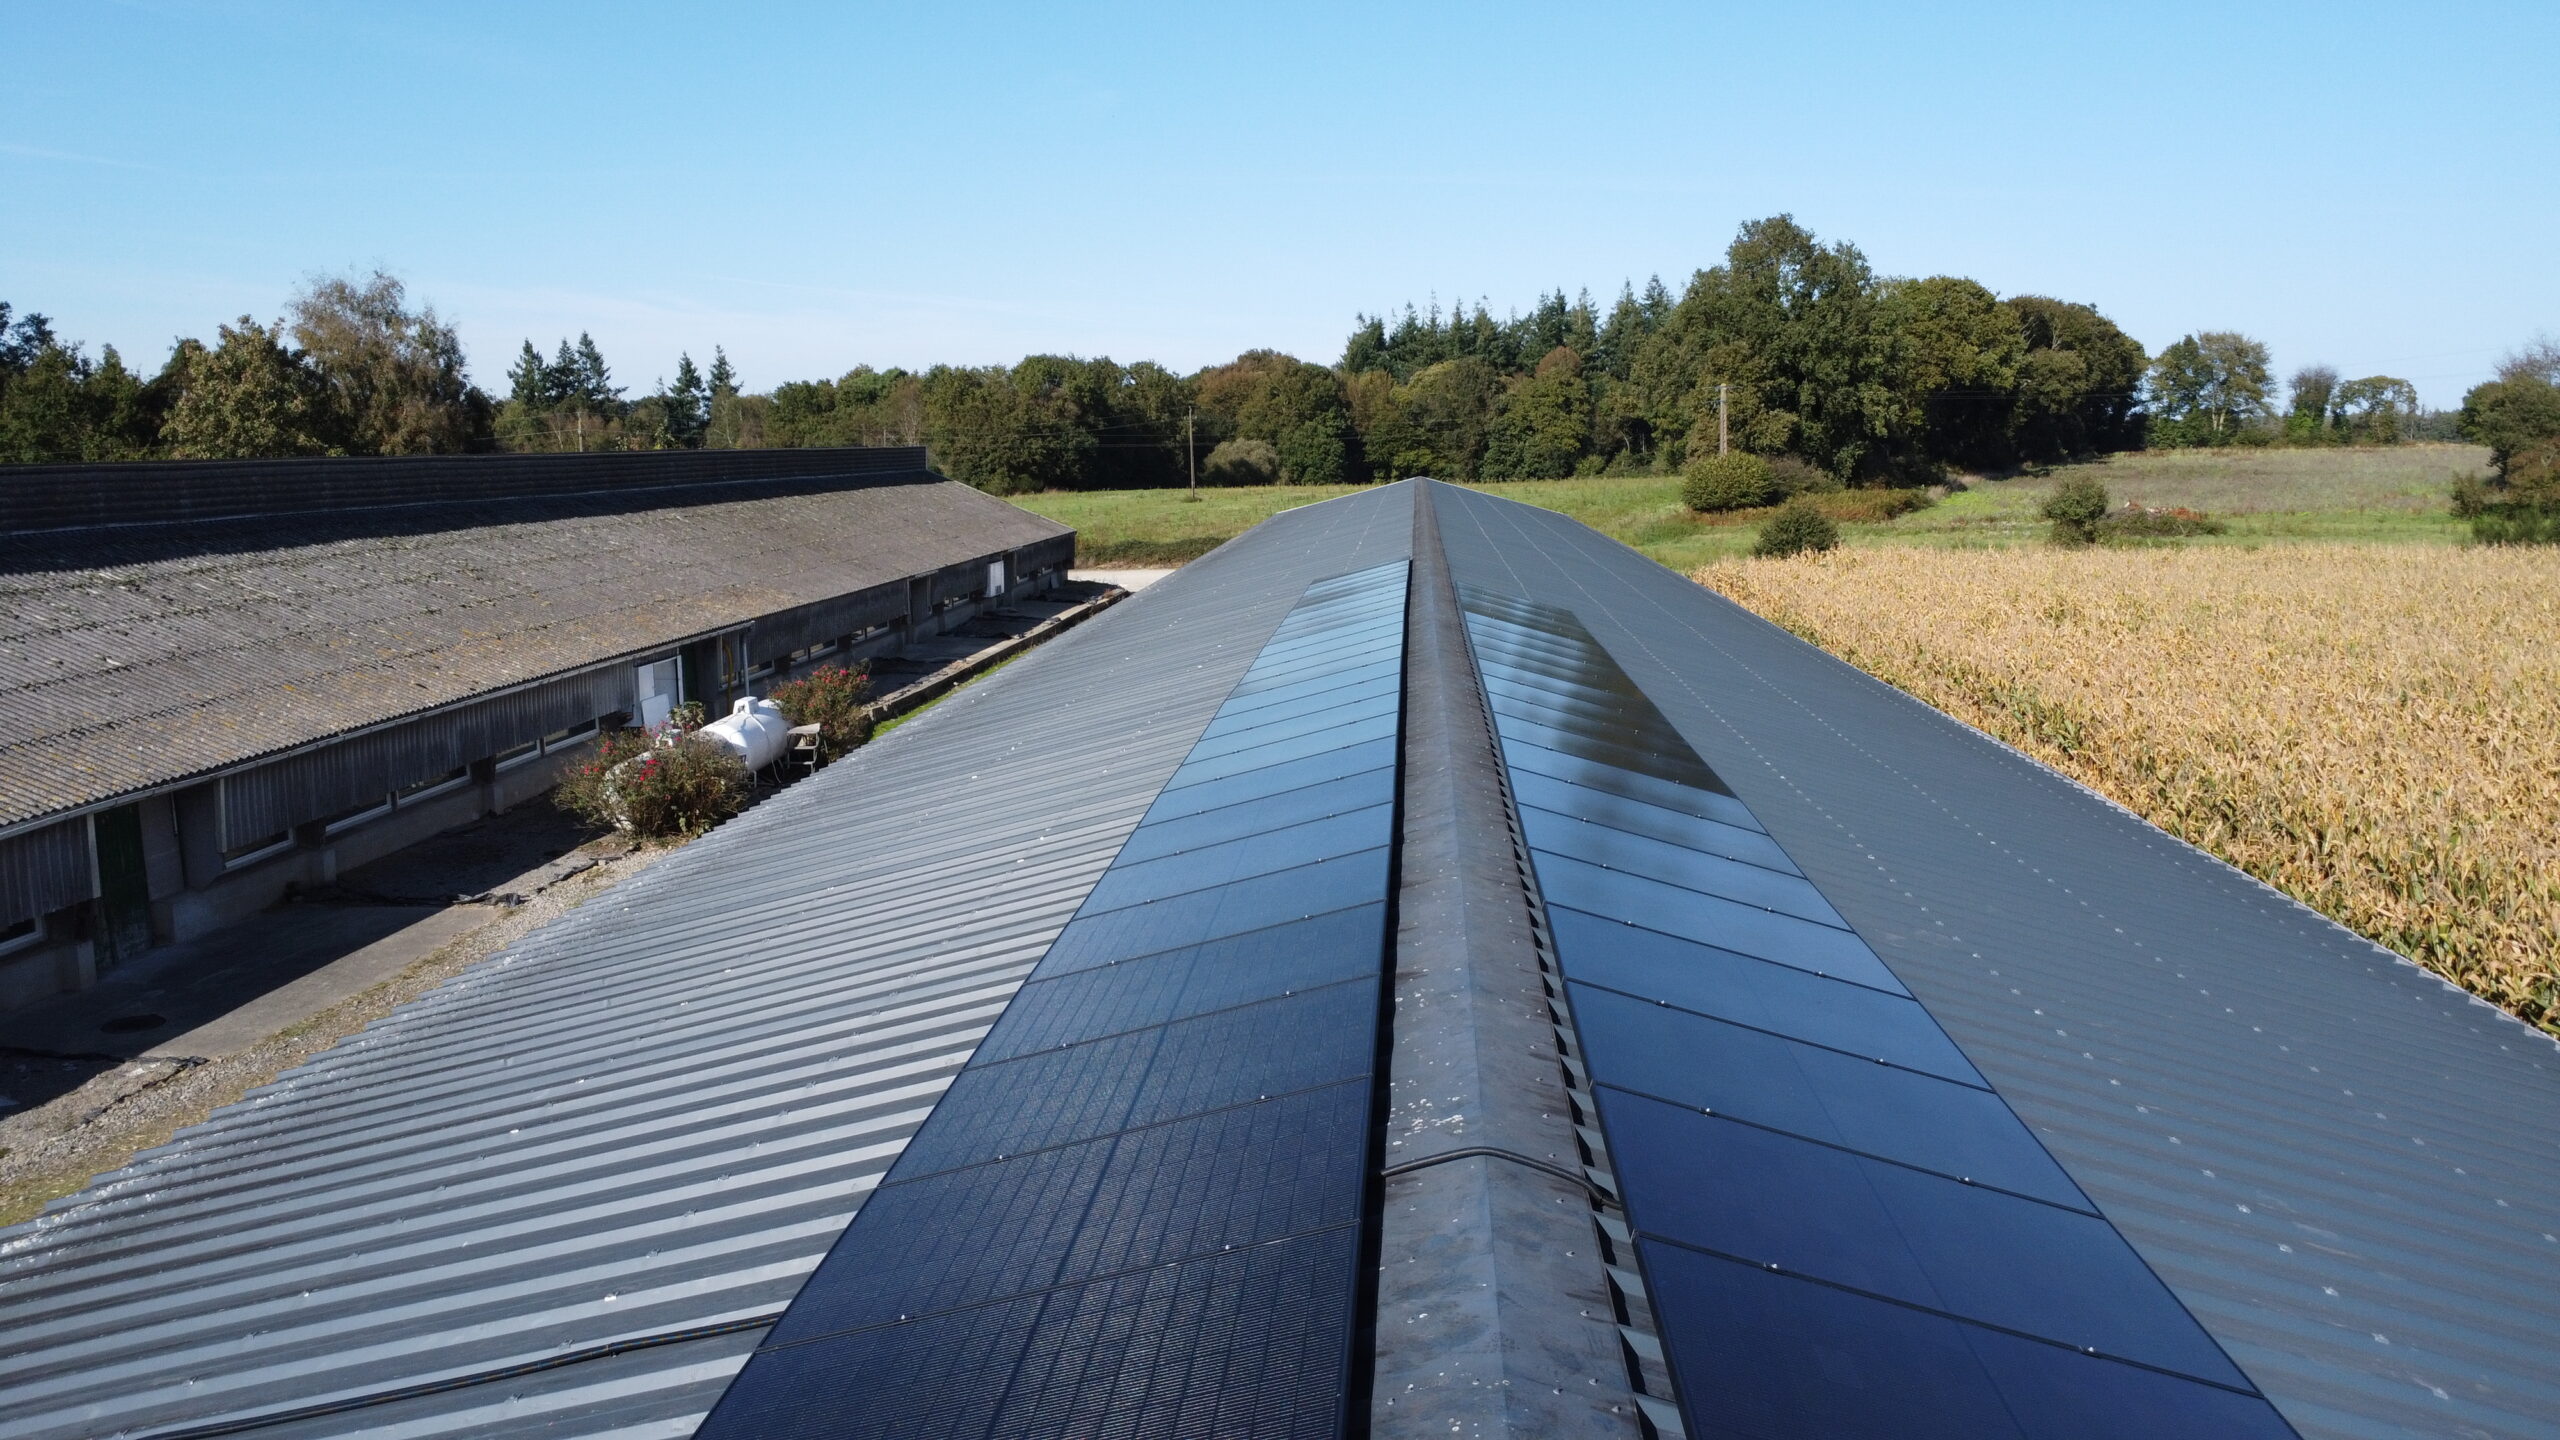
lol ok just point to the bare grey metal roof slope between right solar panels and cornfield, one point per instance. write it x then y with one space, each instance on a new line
2344 1167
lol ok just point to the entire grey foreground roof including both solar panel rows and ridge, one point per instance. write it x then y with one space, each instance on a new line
1420 970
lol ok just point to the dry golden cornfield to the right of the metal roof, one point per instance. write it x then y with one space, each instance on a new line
2369 729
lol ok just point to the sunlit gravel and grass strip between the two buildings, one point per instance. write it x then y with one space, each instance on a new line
52 1149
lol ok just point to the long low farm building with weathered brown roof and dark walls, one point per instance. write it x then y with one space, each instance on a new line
221 680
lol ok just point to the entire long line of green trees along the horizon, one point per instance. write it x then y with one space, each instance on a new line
1788 347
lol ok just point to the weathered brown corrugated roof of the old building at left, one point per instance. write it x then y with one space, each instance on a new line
145 655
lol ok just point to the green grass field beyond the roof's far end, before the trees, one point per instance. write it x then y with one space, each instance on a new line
2392 496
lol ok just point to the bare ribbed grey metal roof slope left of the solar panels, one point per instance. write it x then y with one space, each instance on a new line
662 1111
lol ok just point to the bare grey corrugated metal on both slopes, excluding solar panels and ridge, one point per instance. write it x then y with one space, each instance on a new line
662 1111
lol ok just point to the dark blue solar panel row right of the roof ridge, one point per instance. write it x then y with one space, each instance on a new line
1842 1229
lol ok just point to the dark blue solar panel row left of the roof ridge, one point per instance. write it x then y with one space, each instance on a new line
1140 1206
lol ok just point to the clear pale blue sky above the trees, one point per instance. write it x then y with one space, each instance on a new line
833 186
